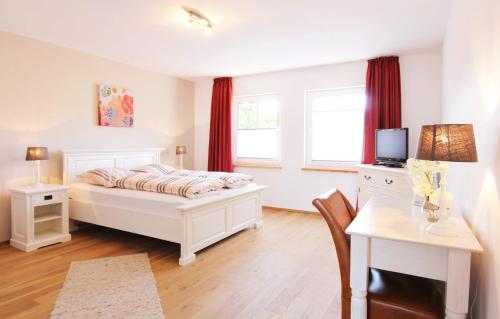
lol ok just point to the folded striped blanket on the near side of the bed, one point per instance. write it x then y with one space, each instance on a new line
190 187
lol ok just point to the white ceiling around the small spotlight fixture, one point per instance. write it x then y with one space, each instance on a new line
250 36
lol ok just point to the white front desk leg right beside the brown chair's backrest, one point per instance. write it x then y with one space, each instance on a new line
359 276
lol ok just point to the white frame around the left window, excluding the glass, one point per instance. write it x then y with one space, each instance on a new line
253 161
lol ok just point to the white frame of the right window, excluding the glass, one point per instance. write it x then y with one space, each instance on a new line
321 164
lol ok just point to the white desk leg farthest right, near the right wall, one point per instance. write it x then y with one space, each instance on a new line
457 284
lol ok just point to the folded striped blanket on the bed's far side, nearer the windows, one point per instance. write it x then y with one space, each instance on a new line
230 180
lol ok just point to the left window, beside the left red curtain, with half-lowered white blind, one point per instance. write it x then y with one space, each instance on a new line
256 123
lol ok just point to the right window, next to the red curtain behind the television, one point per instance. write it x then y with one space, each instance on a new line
334 126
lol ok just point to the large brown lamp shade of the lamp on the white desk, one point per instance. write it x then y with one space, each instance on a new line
447 142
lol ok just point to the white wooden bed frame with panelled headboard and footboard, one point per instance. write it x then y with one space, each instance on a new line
193 223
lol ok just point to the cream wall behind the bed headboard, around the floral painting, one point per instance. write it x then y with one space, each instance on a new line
49 98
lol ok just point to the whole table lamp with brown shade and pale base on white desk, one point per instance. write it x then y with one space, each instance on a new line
446 143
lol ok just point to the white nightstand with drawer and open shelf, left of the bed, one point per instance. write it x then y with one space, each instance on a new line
39 216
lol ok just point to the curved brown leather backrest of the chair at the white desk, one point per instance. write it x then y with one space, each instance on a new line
338 214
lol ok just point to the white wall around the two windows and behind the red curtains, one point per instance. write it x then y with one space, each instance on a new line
290 187
